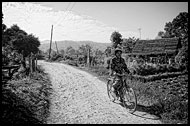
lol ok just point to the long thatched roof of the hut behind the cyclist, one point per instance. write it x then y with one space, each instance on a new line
157 46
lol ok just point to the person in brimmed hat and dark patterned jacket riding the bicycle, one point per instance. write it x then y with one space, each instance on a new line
118 66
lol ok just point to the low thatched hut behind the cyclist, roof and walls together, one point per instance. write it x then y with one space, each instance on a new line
157 50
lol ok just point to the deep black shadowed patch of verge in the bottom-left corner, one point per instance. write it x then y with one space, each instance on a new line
15 110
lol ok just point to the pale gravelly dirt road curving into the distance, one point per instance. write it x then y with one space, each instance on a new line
81 98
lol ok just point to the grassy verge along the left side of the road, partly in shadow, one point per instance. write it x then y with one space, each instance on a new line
26 101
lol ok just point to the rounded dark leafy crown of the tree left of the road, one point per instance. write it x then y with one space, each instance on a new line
18 41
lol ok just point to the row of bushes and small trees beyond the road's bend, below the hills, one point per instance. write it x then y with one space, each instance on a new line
77 57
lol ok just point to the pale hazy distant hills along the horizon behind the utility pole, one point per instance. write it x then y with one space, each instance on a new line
75 44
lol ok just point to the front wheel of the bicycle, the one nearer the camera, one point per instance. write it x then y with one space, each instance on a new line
129 99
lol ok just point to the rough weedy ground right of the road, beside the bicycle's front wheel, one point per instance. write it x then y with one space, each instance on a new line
166 98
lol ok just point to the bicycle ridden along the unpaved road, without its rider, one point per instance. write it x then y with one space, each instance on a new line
126 93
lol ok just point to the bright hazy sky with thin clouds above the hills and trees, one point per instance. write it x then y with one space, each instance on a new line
92 20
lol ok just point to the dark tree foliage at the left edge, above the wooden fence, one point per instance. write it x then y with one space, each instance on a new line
17 44
